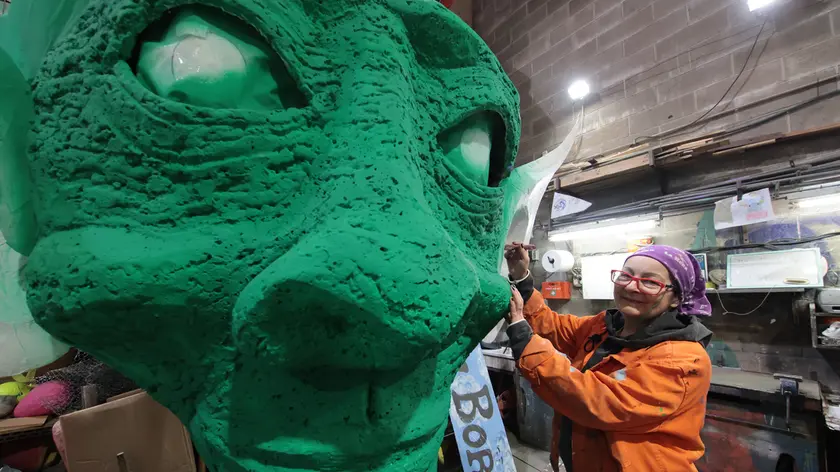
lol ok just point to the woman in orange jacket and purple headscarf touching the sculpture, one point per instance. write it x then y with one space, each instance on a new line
628 385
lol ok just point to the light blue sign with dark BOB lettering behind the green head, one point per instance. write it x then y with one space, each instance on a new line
476 419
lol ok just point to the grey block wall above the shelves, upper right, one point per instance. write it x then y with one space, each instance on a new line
657 65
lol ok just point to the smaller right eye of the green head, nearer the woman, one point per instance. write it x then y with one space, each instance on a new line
476 148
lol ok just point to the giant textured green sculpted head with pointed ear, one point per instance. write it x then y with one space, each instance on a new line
281 218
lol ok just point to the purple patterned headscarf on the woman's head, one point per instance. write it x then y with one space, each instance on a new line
685 271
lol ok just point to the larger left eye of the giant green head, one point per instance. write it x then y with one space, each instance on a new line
202 56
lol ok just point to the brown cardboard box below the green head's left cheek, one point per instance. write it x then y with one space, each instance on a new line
149 437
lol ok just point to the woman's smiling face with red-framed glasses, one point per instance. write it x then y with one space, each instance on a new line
638 302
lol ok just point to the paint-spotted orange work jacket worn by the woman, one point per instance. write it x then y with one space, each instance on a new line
640 409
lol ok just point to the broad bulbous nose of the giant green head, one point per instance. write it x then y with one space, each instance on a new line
351 298
